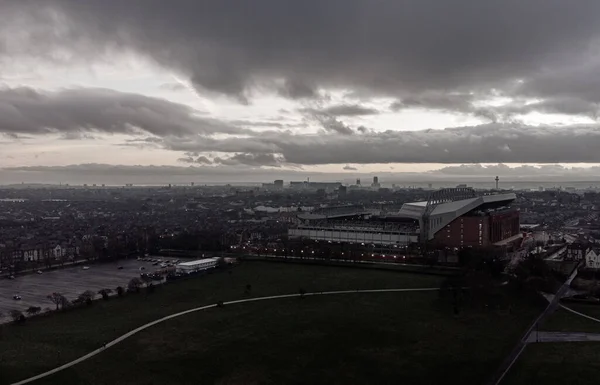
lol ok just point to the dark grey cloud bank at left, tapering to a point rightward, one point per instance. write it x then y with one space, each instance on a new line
27 111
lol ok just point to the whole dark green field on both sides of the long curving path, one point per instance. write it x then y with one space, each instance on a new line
341 339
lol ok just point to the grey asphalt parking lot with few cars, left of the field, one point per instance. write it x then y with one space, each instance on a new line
70 282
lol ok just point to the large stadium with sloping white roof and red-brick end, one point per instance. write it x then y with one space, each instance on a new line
457 217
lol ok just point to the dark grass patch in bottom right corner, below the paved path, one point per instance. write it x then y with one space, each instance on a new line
557 364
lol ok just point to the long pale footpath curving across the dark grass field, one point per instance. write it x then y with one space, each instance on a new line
150 324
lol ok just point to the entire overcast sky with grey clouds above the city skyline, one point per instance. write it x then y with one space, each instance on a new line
256 90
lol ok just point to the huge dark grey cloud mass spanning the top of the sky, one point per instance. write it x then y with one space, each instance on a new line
383 47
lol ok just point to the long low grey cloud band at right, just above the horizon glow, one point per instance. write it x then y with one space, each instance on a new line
516 143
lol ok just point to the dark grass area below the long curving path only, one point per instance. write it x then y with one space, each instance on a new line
386 338
